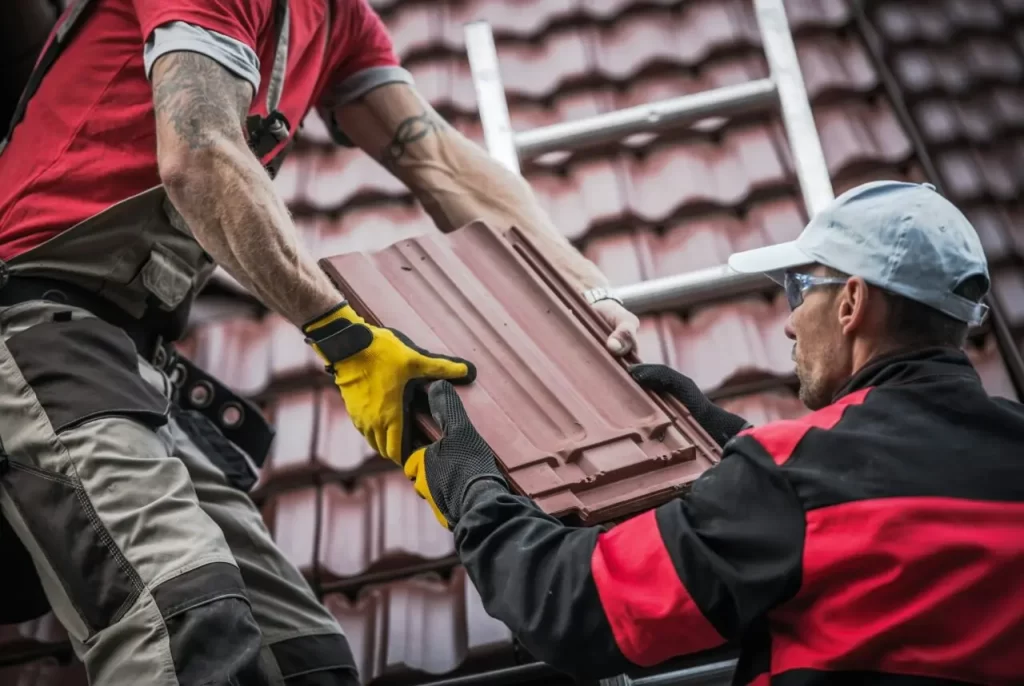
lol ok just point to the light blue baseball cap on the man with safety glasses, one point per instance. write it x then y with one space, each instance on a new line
904 238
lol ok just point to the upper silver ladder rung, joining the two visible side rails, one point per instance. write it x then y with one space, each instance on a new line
651 117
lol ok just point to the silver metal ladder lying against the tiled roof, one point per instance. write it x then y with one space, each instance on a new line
784 89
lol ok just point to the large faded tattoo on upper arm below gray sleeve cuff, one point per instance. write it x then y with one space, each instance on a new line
200 99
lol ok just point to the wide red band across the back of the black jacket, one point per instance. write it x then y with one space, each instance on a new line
919 586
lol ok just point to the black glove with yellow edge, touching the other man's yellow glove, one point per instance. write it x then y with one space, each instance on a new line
443 471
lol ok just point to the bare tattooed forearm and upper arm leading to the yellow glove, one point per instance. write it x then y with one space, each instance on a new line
224 193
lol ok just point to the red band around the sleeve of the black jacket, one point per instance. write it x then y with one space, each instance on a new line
653 616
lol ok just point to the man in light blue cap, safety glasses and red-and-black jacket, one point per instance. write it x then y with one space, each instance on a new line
879 540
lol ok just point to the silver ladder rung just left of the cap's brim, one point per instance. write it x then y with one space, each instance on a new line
689 289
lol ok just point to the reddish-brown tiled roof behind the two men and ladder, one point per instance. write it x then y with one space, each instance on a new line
648 207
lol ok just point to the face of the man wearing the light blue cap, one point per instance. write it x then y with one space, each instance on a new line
823 355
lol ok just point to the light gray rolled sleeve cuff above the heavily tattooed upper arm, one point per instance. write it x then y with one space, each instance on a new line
231 54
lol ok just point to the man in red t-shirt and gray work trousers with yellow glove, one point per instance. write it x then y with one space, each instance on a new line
140 158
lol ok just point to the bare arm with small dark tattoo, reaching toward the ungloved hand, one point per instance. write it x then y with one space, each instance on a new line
454 179
